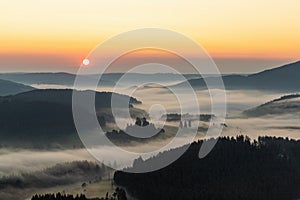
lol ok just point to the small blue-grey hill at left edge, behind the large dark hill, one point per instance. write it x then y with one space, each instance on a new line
11 88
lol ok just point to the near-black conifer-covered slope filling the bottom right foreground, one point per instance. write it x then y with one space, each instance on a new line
235 169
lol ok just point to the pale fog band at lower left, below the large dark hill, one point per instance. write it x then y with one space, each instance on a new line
16 162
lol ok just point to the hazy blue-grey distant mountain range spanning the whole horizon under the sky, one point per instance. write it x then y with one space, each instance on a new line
284 78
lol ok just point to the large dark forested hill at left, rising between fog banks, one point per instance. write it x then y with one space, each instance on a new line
43 118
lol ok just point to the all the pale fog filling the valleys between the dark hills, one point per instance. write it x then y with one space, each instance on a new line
18 161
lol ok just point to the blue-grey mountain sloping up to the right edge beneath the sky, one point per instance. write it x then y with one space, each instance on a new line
285 78
